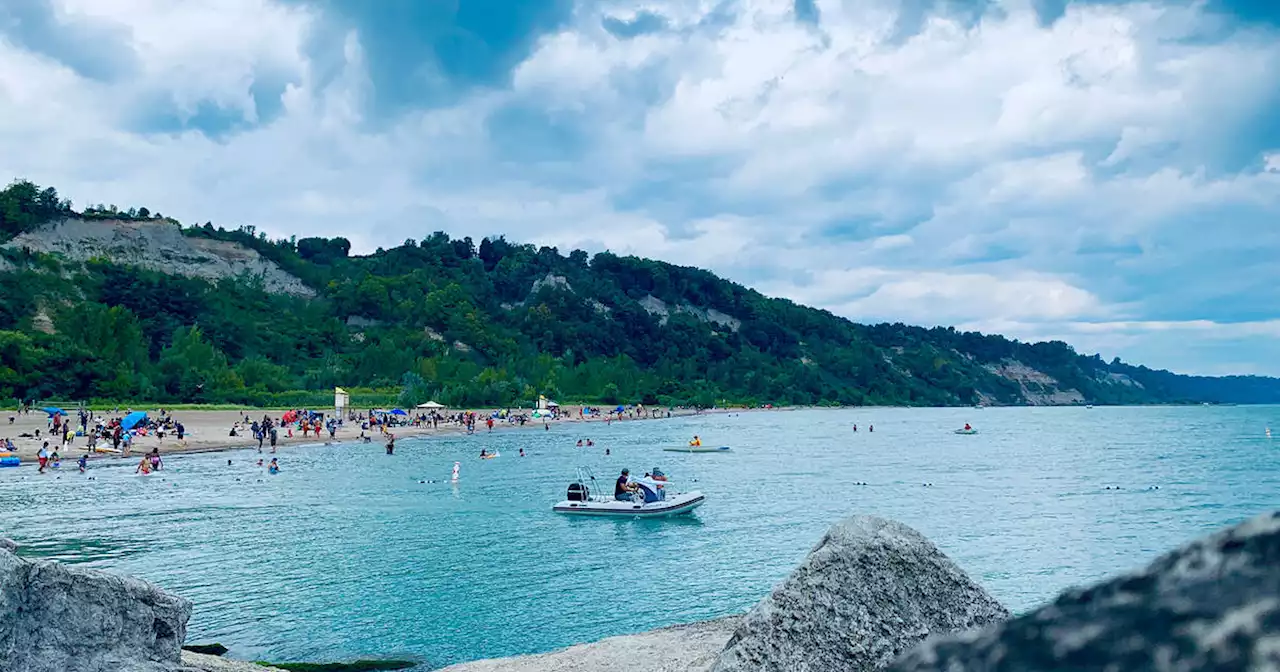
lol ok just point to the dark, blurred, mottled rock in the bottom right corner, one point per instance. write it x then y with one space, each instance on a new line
1210 606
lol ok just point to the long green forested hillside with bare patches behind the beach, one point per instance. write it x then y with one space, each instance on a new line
104 304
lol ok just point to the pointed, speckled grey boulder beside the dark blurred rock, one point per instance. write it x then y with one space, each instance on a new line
870 591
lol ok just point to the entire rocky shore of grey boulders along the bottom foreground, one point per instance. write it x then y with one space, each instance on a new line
874 595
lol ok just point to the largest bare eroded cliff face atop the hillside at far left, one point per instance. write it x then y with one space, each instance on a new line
158 245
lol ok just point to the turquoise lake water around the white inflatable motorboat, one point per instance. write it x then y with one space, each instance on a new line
348 555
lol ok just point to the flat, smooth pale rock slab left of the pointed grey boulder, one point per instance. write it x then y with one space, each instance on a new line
691 648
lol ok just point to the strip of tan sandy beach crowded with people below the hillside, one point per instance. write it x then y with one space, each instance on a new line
211 431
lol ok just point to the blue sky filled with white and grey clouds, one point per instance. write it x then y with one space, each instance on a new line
1107 173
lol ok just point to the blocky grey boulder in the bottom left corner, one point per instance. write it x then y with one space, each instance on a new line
60 619
